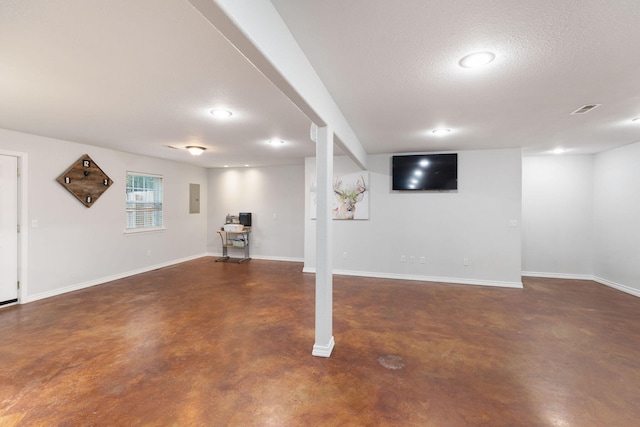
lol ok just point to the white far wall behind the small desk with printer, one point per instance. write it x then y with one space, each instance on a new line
275 198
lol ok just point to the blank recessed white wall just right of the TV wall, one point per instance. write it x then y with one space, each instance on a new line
557 216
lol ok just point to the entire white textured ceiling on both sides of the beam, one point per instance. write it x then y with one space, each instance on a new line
141 75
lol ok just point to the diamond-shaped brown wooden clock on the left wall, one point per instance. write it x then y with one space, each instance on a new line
85 180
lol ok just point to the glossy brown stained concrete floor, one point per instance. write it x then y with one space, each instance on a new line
215 344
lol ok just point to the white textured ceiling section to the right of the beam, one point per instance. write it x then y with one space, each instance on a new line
393 69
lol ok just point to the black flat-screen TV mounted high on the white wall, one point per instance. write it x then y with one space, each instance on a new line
425 172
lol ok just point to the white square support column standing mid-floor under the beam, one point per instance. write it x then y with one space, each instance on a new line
324 266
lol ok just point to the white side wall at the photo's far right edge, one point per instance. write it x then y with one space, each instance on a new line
617 218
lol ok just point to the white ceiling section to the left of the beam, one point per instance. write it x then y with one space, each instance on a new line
139 76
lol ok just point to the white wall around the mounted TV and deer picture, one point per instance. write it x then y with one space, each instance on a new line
443 227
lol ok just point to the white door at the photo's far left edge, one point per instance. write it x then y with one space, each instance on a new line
8 229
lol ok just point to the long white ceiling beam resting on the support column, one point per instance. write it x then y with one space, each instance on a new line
256 29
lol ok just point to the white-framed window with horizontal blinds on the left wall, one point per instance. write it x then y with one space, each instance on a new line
144 202
